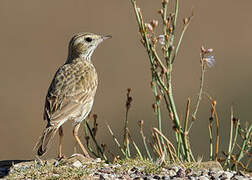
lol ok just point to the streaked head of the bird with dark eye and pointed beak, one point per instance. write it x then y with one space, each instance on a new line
82 45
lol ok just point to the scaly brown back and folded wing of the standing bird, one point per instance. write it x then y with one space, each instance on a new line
73 85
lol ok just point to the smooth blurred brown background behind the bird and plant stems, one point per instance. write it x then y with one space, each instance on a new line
34 37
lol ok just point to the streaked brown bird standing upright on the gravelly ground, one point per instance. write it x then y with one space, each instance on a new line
71 93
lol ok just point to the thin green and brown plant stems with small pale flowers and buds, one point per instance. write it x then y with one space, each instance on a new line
163 149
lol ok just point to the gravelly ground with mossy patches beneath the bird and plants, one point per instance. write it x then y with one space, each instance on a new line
77 167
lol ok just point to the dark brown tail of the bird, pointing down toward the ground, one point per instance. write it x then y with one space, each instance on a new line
45 140
